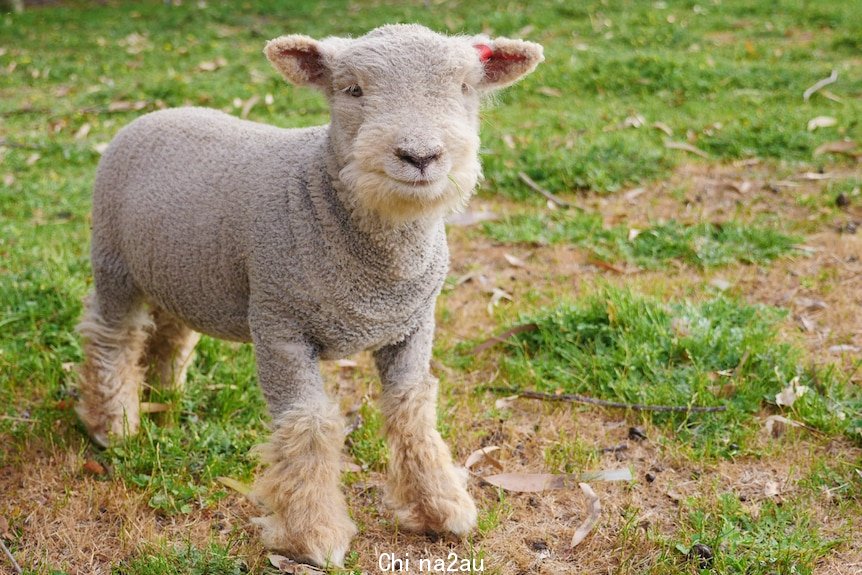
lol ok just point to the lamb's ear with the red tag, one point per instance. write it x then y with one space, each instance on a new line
507 61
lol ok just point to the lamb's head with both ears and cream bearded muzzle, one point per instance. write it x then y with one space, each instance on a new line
405 110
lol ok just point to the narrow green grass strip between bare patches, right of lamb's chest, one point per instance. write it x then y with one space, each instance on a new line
701 245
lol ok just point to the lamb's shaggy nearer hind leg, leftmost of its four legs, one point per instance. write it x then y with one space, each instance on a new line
114 333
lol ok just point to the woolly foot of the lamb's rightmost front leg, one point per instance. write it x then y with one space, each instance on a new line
449 510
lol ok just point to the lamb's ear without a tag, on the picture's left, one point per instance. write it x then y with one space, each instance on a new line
300 60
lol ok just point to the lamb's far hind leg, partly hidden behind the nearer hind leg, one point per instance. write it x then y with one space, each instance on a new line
170 350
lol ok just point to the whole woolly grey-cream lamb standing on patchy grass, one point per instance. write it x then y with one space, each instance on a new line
313 244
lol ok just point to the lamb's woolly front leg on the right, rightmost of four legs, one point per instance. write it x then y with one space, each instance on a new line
425 490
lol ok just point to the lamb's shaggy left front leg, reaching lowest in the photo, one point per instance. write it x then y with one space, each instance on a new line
300 488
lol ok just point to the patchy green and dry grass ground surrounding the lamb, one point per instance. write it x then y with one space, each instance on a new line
726 77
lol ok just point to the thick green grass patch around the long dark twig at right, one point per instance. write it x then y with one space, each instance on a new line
621 346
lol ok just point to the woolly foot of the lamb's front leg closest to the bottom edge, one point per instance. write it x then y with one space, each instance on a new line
321 544
